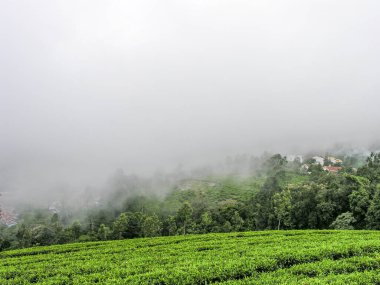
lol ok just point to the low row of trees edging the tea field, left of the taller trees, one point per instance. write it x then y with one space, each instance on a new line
103 225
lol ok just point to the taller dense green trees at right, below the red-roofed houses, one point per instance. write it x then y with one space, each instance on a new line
342 201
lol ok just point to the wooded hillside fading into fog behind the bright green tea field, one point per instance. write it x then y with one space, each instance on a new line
276 194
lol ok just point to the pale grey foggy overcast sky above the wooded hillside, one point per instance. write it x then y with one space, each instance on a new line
90 86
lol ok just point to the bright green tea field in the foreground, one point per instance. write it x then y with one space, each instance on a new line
269 257
